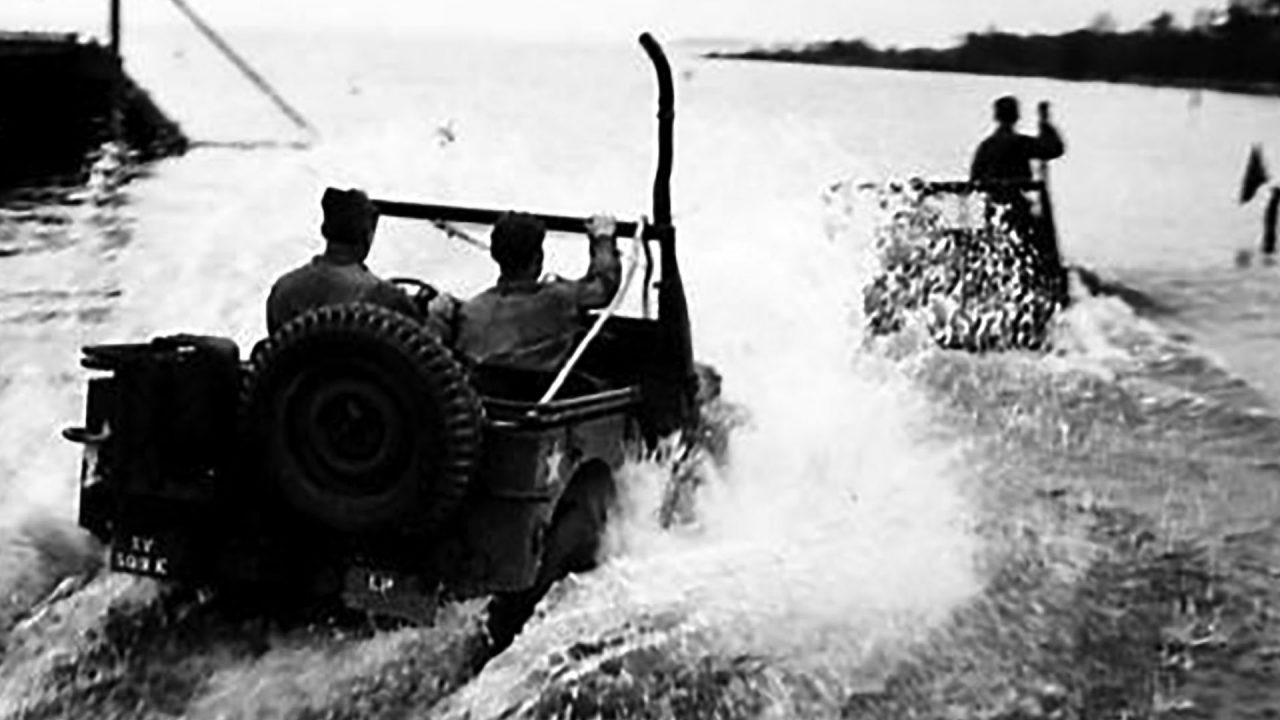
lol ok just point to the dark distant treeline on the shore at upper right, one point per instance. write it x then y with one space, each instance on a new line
1236 48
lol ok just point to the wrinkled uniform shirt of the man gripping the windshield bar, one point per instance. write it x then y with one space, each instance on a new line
534 325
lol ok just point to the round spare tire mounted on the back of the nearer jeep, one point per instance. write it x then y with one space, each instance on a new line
363 422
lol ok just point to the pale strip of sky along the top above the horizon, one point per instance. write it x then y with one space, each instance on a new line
883 21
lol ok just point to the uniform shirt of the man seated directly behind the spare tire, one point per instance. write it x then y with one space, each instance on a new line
328 282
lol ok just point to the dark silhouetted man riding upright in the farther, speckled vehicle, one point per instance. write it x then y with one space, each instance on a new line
1008 154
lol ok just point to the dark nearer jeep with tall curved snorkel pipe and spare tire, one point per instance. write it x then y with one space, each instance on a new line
354 457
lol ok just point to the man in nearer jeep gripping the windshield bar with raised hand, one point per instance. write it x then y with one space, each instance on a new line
528 323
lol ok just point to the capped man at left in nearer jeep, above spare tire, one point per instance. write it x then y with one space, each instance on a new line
340 275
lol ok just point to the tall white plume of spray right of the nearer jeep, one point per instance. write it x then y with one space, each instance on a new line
834 539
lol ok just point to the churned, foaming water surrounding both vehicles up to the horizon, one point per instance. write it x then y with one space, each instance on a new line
899 531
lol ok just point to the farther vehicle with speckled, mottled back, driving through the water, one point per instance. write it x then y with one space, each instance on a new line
979 262
